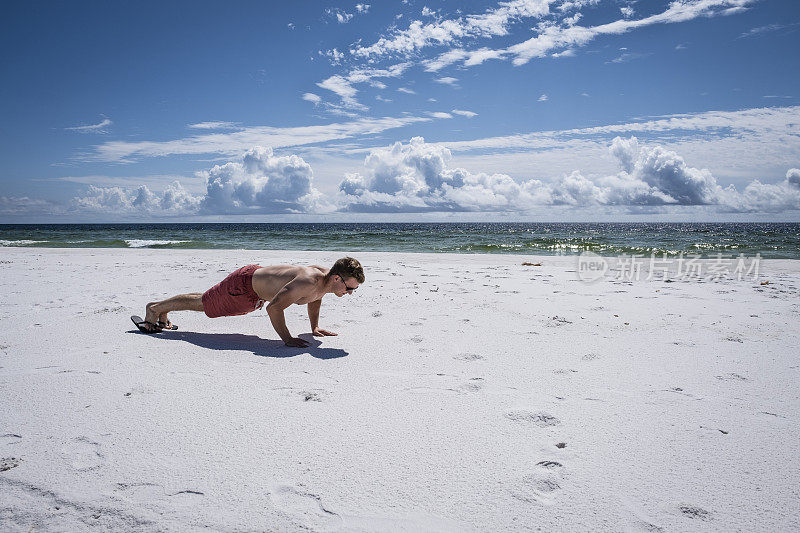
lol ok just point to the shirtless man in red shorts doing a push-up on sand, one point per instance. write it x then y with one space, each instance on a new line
248 288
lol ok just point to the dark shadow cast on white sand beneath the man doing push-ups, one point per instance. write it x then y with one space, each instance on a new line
251 343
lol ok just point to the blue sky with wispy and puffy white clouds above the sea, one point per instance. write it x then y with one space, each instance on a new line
517 110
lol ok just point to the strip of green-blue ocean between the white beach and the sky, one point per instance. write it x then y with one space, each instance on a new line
770 240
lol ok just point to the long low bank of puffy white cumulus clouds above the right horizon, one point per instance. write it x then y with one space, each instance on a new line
417 177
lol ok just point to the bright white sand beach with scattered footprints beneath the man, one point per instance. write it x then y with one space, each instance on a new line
437 408
